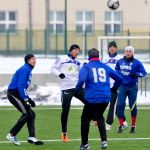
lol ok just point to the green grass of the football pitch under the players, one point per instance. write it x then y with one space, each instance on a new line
48 127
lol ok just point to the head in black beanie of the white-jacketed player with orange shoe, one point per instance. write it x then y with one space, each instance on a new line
74 50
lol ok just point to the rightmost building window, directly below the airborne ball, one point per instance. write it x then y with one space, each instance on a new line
113 23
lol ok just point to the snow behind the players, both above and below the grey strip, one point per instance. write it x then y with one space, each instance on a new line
48 94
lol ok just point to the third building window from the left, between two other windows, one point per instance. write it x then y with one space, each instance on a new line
84 22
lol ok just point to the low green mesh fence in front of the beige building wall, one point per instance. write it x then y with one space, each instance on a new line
43 42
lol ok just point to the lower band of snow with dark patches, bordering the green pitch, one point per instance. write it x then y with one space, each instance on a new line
50 95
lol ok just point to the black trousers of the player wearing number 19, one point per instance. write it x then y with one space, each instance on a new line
89 111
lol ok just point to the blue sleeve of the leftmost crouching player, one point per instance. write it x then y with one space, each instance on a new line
22 84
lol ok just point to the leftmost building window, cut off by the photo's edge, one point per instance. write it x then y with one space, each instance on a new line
8 21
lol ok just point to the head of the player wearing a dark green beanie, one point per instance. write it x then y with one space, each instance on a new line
112 48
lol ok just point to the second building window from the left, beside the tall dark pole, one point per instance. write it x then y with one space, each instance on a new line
56 22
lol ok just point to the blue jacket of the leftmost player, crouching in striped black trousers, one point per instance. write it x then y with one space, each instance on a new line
21 80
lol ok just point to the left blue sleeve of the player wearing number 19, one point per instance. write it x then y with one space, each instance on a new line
83 74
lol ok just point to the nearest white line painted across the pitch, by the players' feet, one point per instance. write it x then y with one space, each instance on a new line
97 139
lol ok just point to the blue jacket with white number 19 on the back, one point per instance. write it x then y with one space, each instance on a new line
96 77
